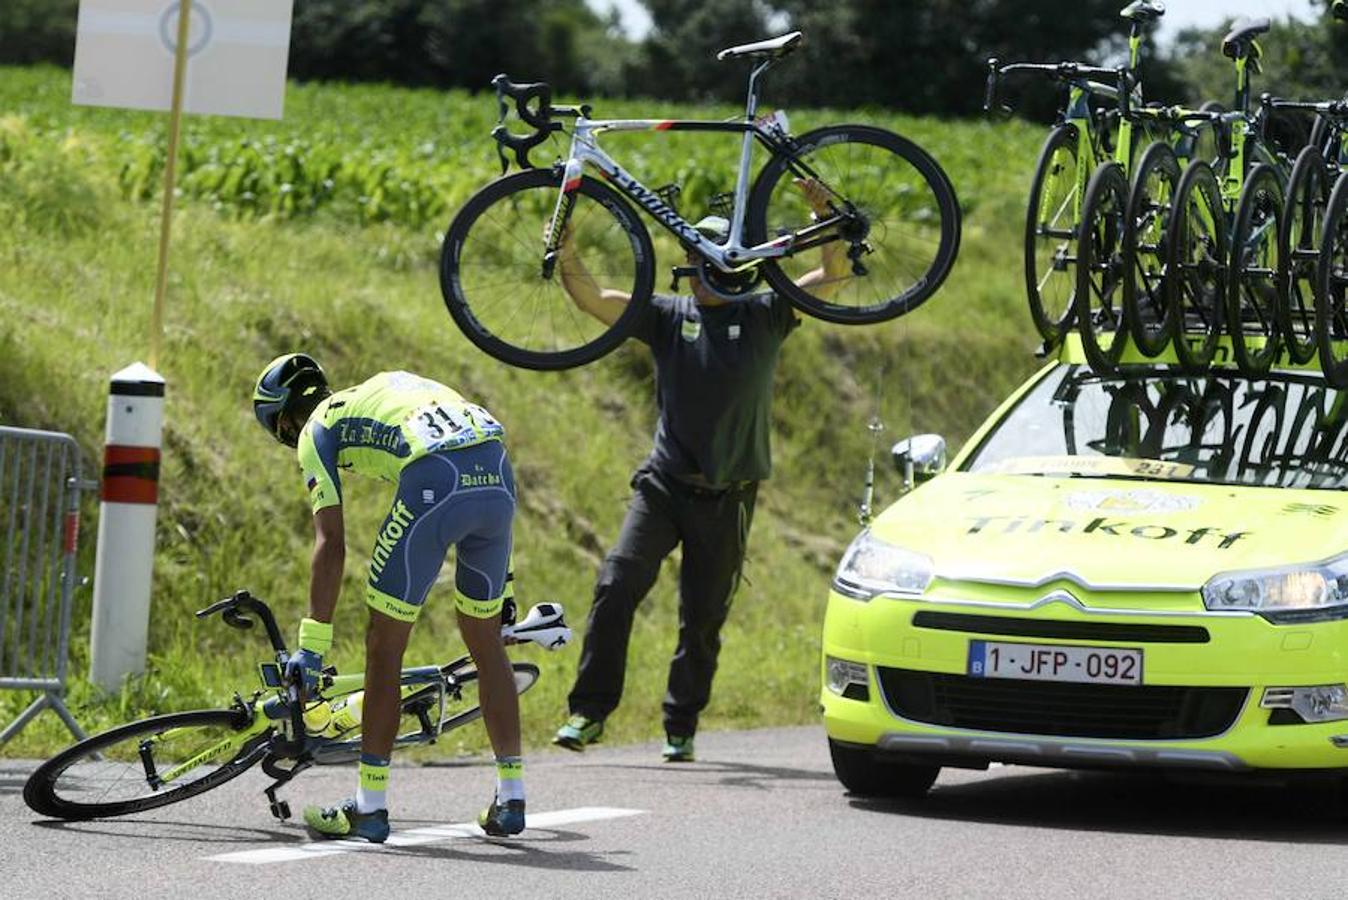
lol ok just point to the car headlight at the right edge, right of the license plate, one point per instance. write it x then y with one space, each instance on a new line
1291 595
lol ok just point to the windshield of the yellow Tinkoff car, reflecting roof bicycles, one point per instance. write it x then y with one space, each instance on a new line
1287 432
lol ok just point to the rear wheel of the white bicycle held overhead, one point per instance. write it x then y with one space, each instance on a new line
901 238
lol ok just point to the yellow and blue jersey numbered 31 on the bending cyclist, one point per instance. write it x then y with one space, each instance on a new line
381 426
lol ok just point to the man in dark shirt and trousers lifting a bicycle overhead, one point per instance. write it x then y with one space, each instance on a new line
715 363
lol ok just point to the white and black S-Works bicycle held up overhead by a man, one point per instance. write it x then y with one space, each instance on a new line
893 222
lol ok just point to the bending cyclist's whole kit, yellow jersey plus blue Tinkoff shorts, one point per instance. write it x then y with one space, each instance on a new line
454 479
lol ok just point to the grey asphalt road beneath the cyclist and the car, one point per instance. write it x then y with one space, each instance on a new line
760 816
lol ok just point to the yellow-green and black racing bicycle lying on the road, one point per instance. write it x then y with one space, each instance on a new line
166 759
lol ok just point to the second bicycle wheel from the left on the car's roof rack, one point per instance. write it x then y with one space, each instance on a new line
1102 266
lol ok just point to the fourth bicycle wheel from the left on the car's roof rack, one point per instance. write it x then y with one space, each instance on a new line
1196 267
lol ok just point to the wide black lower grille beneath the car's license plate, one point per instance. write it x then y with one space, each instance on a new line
1155 712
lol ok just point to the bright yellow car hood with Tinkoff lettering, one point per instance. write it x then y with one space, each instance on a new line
1110 533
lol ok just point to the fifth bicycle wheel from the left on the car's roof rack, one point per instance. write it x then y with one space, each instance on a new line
1253 293
